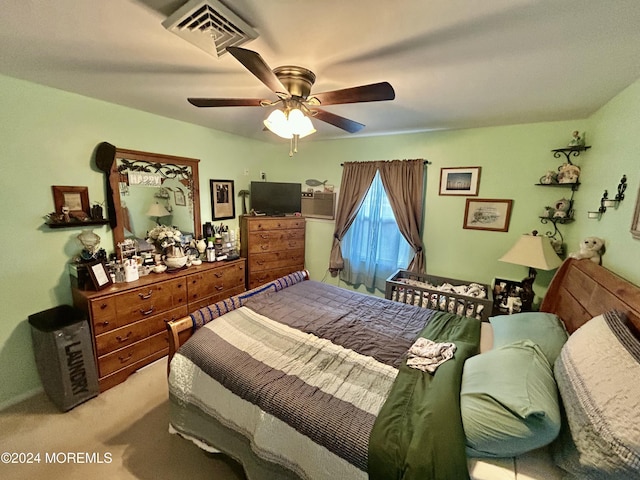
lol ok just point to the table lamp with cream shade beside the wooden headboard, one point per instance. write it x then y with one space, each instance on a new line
533 251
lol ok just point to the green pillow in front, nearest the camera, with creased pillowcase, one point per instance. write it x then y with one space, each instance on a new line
509 401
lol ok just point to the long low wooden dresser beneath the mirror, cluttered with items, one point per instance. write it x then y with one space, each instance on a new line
128 320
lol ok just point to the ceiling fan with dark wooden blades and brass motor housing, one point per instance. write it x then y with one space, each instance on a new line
292 85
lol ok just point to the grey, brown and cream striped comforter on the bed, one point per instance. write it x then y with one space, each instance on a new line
316 359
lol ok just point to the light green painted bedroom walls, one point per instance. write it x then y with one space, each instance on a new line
47 137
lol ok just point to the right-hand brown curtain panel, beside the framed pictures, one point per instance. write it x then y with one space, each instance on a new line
404 182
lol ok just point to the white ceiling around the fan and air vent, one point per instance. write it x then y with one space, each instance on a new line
452 63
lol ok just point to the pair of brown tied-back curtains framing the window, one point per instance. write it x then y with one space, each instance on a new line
404 183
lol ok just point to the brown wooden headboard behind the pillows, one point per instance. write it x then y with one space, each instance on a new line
581 290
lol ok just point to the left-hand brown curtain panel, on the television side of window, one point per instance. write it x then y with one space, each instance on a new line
356 179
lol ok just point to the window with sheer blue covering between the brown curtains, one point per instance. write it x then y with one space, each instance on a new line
373 248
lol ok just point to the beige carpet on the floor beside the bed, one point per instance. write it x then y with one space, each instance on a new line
129 422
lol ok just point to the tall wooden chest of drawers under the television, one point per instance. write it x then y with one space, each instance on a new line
273 247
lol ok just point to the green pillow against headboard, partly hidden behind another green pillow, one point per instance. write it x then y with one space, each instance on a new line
544 329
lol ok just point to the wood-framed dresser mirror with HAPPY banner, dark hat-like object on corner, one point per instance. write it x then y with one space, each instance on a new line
145 189
